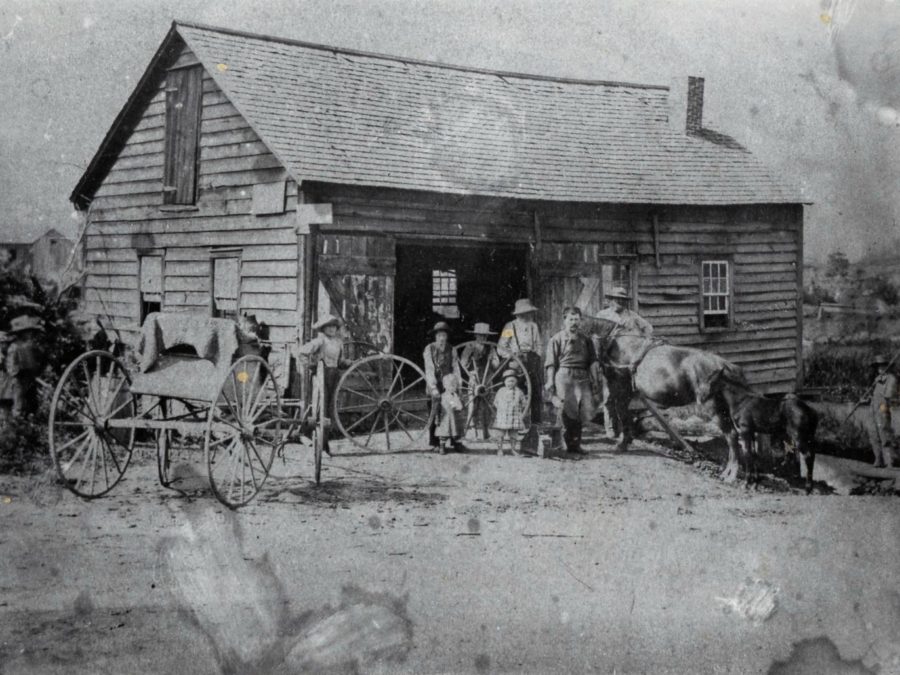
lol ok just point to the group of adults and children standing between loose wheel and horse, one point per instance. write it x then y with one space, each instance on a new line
566 373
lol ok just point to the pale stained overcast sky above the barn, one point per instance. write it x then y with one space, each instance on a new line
810 86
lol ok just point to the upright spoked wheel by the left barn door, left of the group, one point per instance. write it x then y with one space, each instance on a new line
381 403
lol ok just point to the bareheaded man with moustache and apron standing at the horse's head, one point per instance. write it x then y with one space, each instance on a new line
573 374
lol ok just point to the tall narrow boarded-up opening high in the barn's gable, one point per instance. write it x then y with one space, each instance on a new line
184 90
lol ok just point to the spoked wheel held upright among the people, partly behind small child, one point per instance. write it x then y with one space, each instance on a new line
482 370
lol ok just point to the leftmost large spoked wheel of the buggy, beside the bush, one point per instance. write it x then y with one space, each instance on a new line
90 456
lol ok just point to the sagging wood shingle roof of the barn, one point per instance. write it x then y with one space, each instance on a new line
339 116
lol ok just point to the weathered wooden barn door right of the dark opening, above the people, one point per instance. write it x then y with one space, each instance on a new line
569 274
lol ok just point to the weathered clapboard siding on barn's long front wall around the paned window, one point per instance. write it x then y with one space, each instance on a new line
761 243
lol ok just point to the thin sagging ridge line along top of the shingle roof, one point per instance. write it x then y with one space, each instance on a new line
420 62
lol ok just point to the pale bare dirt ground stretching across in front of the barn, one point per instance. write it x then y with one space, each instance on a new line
414 562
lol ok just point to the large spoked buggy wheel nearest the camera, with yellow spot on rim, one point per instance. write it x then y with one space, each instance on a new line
243 431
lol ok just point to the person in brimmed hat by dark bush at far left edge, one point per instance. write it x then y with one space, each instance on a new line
24 362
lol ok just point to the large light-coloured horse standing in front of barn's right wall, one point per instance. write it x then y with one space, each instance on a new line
666 375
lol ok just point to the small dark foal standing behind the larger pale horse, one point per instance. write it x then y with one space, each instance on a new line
788 420
